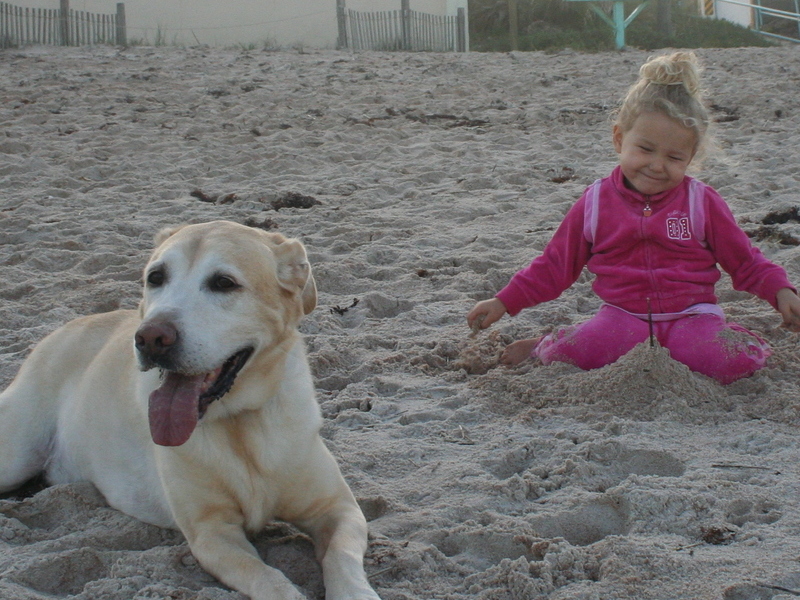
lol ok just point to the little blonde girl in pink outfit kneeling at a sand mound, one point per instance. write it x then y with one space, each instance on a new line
653 238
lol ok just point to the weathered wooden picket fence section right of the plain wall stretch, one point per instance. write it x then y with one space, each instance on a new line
403 29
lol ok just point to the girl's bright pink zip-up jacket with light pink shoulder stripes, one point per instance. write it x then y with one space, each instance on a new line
670 256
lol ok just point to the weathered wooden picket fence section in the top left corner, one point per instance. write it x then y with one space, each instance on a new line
60 26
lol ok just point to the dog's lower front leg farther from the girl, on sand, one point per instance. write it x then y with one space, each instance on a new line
224 551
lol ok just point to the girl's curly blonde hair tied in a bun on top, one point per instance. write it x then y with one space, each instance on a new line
669 84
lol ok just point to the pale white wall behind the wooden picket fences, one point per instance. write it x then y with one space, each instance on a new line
309 23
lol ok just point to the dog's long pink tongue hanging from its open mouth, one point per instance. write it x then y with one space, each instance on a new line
173 409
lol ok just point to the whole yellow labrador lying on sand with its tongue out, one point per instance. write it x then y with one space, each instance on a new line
197 411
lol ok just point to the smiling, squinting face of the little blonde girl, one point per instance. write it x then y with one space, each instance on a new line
655 152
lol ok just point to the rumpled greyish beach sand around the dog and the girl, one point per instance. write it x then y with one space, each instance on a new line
420 183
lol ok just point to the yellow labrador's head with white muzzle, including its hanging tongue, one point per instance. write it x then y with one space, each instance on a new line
216 296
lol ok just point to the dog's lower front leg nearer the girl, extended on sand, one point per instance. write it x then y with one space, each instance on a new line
340 538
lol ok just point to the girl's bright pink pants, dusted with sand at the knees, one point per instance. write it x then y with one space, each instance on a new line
705 343
